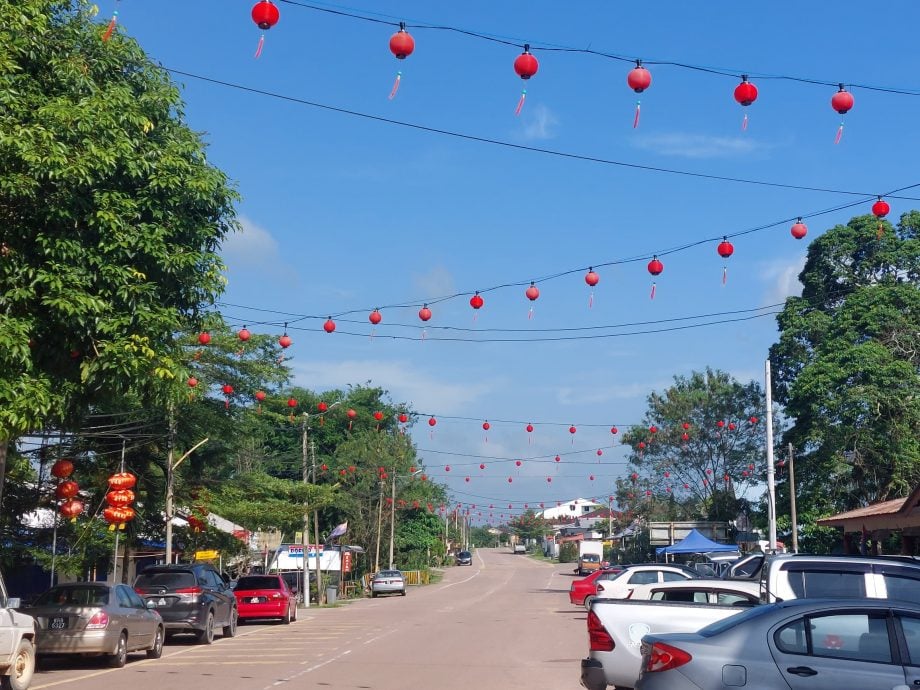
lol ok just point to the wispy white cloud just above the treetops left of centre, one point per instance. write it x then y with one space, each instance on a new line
404 381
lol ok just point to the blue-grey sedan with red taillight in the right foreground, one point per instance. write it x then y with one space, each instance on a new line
818 644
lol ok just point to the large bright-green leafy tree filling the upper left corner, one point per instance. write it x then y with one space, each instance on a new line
110 219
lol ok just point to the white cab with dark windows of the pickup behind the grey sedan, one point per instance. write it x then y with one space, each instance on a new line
799 576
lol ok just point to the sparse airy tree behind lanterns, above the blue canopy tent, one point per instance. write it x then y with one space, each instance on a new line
700 445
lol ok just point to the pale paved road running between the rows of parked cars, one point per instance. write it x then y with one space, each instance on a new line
504 623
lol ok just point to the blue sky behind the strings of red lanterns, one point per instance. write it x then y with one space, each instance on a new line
344 214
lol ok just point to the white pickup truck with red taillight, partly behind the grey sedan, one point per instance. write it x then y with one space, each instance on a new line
616 626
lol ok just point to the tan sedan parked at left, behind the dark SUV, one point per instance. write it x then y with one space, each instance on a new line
98 619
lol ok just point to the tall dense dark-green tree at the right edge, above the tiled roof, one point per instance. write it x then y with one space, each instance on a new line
847 365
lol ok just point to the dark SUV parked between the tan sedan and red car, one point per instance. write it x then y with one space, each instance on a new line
191 598
